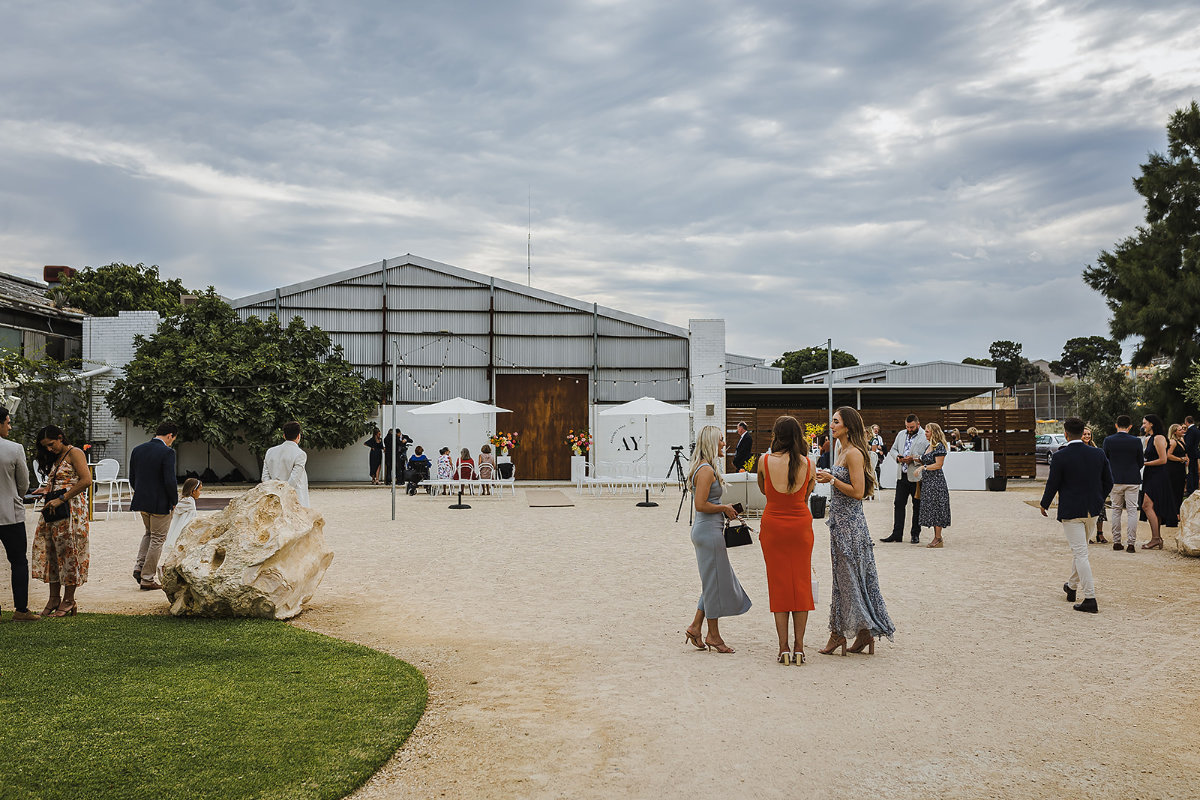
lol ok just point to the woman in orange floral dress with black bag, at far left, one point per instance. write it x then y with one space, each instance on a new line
61 549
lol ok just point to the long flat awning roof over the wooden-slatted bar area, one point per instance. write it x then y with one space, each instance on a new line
856 395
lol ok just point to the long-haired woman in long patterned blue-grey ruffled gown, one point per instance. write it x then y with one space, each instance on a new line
857 606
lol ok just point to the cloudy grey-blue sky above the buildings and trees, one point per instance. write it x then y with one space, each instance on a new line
911 179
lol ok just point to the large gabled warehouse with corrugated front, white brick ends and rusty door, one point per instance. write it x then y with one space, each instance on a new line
554 362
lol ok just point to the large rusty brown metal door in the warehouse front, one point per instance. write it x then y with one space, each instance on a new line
544 408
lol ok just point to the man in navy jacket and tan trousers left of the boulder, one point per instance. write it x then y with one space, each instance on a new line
155 496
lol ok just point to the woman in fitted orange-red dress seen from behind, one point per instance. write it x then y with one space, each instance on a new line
785 477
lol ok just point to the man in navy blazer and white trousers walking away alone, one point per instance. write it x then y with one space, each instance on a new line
1081 477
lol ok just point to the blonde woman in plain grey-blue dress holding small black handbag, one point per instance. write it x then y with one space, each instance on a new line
722 594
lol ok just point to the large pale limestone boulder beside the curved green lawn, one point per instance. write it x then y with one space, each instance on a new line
265 556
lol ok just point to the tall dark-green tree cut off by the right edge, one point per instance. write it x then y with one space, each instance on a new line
1151 280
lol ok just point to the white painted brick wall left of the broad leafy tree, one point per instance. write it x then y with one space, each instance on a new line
109 342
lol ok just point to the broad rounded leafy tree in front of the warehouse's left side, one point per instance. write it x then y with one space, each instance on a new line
227 382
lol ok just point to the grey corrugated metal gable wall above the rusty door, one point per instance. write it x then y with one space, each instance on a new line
454 334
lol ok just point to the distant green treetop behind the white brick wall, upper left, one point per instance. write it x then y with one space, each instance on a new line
106 291
